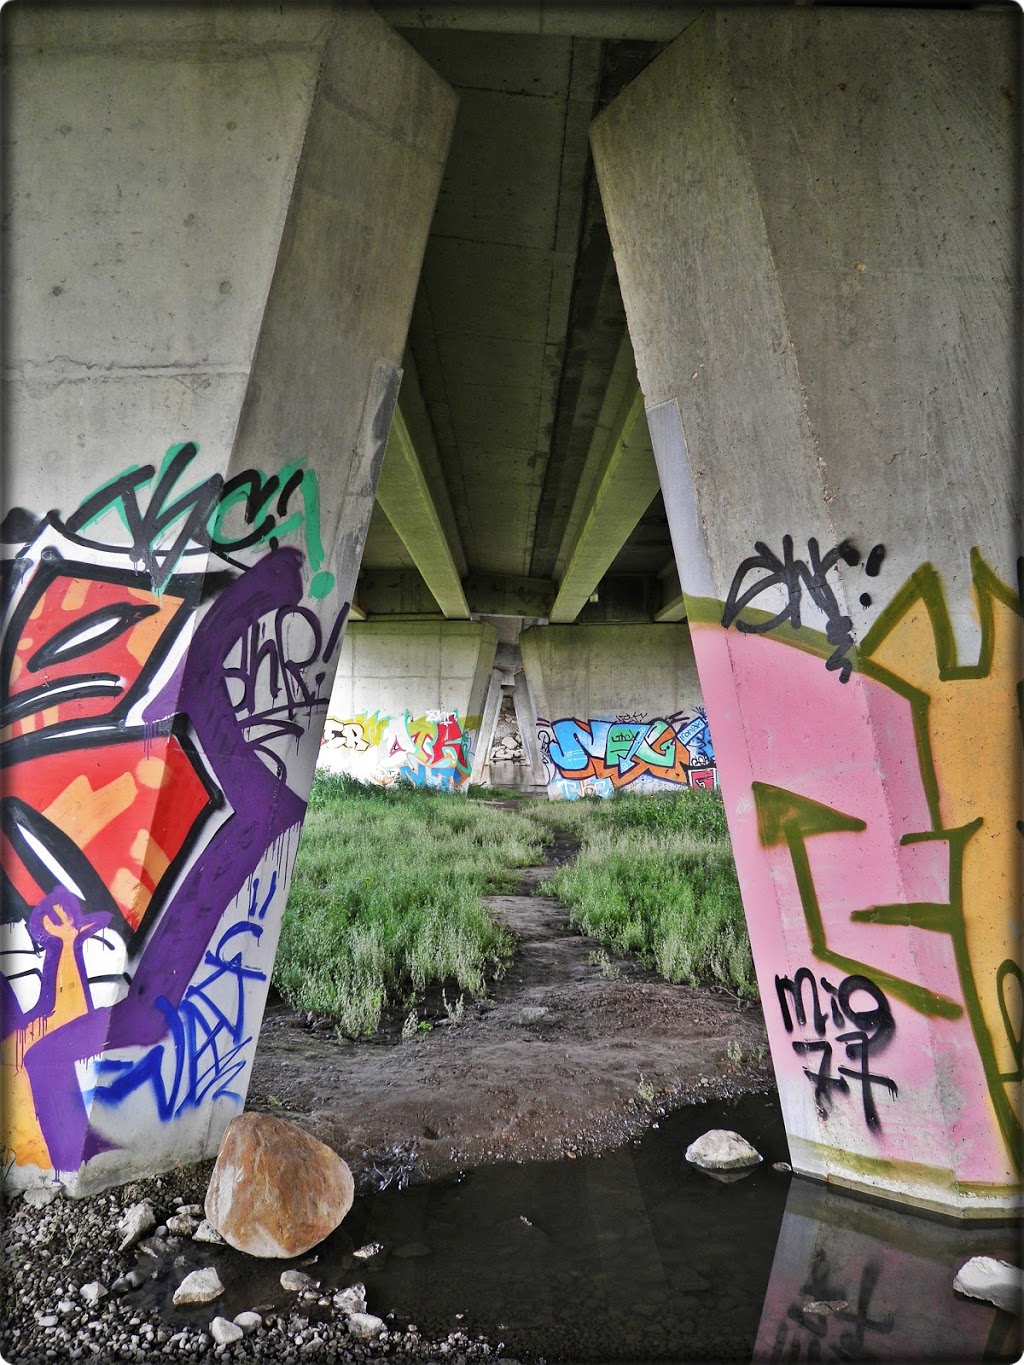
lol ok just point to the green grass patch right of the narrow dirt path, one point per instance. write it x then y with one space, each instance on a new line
656 877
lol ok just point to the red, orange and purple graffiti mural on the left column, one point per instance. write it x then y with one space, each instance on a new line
165 679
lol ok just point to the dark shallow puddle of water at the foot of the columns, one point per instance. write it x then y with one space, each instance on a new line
640 1256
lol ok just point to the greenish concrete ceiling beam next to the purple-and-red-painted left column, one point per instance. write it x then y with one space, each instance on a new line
409 506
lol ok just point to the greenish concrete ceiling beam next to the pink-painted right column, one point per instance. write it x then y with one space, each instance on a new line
625 480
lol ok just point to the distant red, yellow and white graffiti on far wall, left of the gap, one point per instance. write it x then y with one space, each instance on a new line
431 750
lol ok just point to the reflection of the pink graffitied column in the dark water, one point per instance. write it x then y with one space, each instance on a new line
864 1282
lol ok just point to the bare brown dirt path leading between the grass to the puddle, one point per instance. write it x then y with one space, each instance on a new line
573 1053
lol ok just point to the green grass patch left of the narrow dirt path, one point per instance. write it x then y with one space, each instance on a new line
386 899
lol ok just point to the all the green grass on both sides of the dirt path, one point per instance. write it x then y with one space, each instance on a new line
387 895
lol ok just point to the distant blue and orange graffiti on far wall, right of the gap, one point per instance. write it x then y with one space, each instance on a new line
600 757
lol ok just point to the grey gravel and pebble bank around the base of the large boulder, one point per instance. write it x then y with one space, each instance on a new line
46 1318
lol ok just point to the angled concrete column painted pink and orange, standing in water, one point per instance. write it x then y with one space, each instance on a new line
816 223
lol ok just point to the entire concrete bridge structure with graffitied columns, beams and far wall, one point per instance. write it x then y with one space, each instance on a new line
595 399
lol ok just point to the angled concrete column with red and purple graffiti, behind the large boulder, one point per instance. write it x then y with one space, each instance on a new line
216 223
